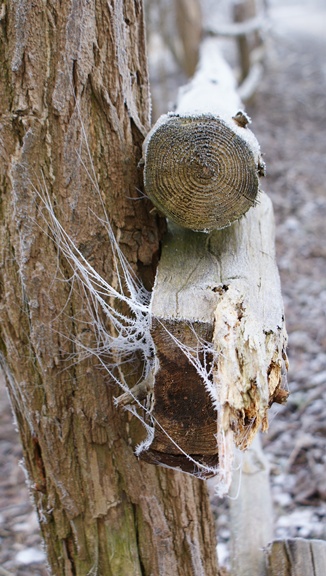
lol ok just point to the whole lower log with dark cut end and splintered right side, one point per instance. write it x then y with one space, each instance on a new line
220 289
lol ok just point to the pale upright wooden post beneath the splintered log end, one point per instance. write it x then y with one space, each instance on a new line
251 512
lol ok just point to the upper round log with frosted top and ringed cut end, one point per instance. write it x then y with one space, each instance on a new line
202 163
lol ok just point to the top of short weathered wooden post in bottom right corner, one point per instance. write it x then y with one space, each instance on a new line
296 557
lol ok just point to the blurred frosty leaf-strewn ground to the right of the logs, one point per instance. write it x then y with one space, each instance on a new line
290 121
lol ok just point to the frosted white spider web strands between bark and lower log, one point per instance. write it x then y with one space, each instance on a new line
130 333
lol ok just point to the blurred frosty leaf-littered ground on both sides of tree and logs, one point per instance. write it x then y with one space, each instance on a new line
289 119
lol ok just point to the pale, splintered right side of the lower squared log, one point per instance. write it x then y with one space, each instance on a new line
249 328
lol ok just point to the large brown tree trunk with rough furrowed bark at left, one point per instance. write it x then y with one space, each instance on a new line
68 71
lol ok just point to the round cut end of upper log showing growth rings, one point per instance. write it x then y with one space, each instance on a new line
199 172
